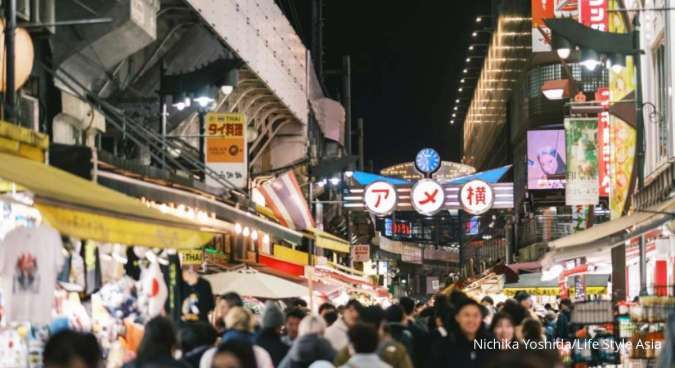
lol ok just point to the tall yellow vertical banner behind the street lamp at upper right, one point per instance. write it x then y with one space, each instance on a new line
623 137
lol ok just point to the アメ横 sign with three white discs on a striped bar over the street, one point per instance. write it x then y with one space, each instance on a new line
428 197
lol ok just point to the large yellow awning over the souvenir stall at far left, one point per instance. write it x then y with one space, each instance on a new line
83 209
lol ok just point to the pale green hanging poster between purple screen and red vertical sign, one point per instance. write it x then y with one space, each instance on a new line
582 162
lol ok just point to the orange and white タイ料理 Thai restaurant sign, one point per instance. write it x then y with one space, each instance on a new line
226 149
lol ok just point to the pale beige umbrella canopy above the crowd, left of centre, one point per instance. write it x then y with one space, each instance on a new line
249 282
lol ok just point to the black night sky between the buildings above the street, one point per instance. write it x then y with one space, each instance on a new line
407 59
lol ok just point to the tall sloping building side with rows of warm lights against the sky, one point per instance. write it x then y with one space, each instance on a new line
505 60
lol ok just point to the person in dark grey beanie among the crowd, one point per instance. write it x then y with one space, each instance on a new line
269 337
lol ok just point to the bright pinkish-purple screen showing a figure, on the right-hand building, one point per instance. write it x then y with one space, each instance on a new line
546 159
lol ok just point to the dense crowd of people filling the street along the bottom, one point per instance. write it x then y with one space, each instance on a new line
448 331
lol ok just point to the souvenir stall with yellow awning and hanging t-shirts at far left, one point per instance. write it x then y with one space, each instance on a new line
80 256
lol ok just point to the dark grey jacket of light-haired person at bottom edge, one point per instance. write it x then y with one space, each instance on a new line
306 350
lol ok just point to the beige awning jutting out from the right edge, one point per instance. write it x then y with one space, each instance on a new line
599 239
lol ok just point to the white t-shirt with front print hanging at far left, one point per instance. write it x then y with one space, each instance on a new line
30 259
